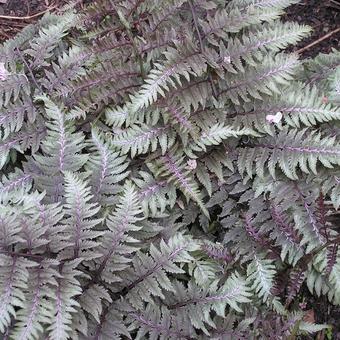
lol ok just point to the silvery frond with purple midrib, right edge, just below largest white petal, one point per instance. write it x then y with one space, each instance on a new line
291 150
